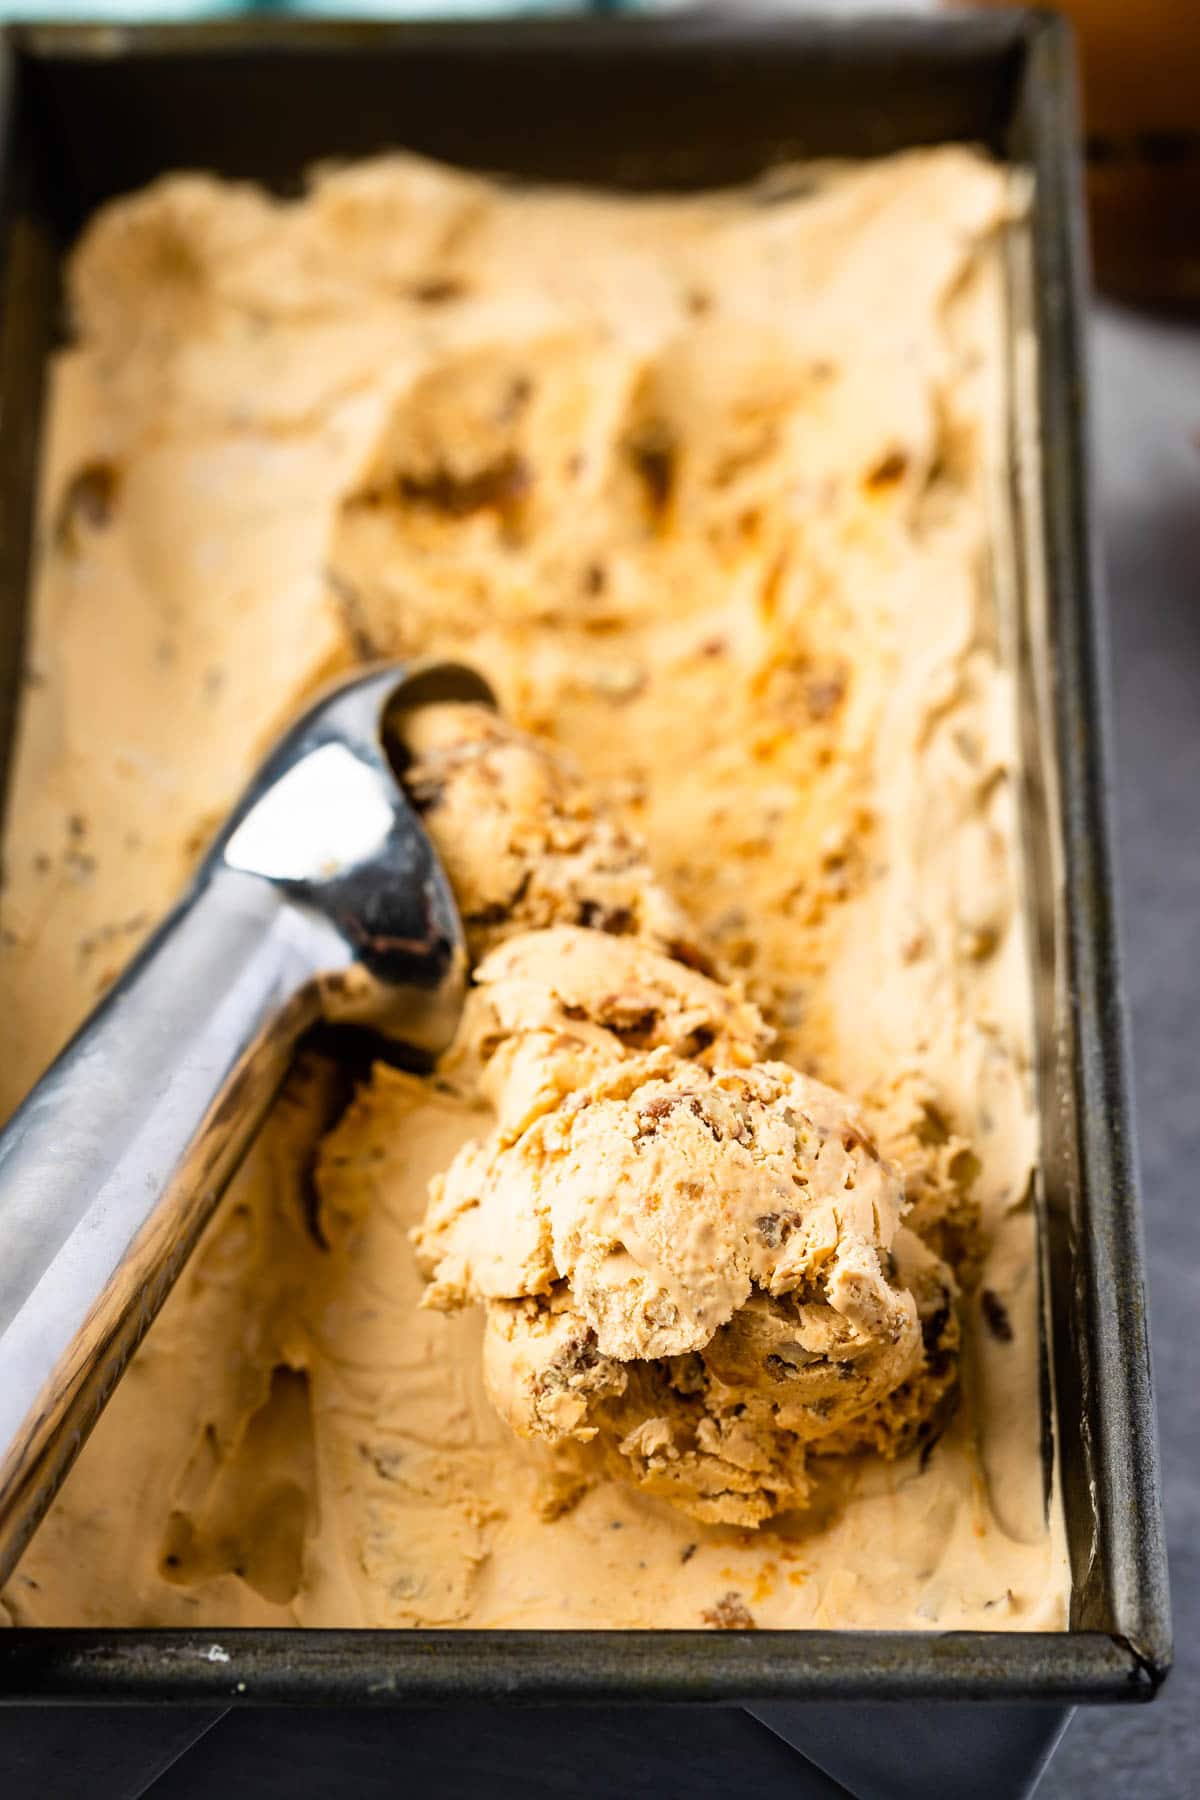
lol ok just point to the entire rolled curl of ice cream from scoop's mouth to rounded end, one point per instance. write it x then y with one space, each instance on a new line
686 1254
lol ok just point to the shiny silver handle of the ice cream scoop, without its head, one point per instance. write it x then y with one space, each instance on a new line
118 1158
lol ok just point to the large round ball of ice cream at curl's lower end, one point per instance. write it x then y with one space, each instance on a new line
688 1263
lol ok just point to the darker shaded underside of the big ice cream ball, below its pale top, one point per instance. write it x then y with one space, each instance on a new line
728 1432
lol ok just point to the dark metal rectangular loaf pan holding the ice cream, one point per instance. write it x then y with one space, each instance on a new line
685 102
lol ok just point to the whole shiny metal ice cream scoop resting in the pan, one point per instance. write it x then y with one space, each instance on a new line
321 897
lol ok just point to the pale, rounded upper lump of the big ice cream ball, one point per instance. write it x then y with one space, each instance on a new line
667 1192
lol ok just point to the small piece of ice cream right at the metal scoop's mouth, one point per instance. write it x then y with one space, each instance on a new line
523 841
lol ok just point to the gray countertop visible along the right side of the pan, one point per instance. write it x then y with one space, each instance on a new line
1147 400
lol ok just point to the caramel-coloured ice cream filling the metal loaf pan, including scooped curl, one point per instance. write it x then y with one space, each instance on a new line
699 1284
